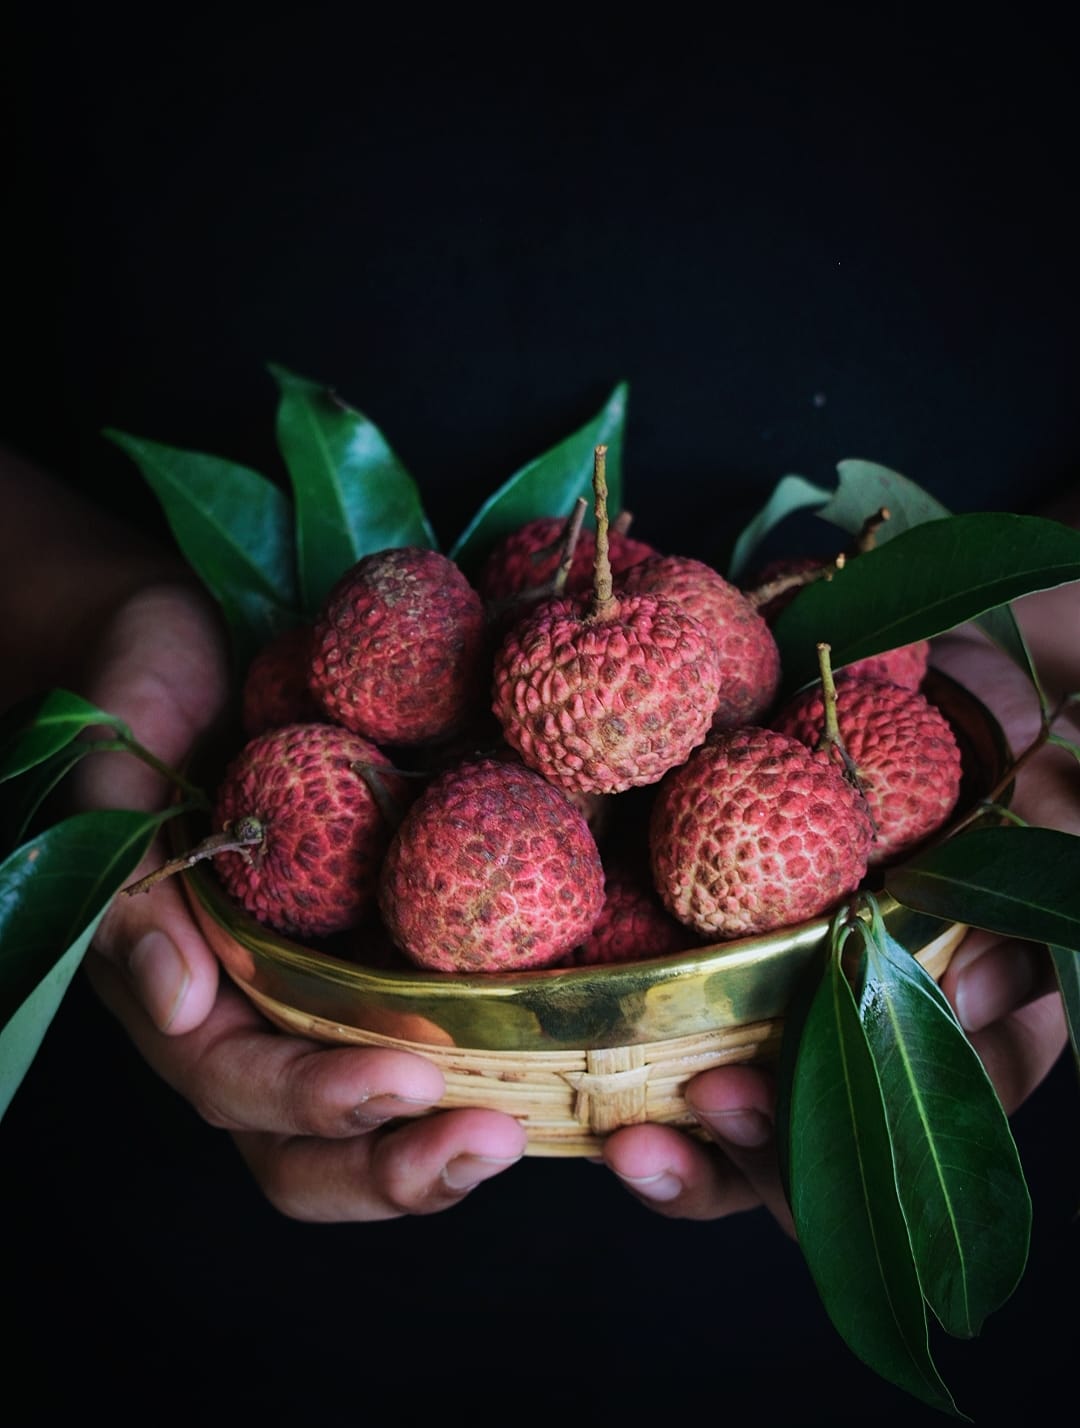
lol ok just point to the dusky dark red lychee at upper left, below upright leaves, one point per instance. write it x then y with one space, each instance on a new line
399 648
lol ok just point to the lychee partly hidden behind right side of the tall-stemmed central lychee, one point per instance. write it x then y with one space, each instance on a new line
746 649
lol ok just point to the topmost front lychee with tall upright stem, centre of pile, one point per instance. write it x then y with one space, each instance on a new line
604 706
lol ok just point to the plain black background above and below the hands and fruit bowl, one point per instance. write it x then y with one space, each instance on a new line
799 241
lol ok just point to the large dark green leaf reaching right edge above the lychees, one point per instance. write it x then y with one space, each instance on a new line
924 582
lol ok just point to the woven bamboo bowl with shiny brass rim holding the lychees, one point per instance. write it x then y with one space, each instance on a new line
575 1053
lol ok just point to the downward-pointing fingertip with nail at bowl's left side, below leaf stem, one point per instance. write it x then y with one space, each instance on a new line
152 940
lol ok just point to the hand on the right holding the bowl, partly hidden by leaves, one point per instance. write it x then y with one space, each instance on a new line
1004 992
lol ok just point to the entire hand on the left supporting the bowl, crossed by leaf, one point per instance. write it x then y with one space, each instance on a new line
309 1122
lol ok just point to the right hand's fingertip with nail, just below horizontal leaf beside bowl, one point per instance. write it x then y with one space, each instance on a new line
989 977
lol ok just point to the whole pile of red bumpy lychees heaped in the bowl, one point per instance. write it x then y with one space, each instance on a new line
576 759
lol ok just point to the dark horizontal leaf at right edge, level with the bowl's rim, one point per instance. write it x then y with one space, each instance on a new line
1019 882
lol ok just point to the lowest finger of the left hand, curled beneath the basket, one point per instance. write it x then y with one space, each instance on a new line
419 1169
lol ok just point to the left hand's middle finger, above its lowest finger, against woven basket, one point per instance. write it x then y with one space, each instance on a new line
242 1075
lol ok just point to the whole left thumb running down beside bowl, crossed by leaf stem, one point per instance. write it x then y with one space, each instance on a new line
161 666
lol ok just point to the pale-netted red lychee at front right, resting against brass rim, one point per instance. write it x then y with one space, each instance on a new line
756 833
